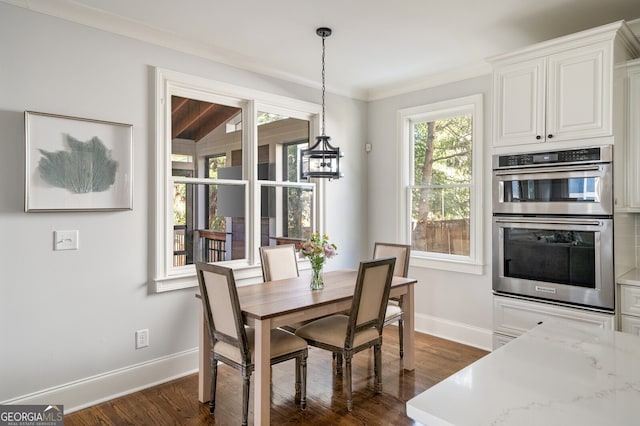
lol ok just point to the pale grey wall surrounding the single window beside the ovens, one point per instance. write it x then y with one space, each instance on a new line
453 305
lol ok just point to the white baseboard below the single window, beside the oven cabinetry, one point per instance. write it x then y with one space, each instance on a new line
456 331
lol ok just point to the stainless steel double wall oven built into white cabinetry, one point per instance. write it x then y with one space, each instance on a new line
553 226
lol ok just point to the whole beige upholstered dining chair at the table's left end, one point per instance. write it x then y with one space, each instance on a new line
233 344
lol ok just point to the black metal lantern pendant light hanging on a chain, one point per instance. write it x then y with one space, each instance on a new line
322 160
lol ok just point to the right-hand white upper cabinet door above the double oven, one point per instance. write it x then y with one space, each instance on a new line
579 93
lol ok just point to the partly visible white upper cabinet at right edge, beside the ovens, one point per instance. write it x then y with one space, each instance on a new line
632 157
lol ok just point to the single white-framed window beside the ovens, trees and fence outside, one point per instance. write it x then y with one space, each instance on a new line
442 183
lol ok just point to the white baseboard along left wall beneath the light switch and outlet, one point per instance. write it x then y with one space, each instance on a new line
103 387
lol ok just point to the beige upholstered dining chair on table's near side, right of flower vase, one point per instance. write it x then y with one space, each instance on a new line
345 335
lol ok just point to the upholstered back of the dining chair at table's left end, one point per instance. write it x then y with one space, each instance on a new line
221 307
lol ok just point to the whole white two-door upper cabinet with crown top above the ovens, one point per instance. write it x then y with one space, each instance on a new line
561 90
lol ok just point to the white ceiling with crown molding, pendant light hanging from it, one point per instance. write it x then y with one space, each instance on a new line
378 48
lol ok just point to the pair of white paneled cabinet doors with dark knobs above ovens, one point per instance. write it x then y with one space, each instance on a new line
554 98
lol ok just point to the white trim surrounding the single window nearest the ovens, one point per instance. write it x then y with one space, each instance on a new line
472 264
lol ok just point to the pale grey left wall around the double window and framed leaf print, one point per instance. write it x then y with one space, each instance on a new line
67 318
